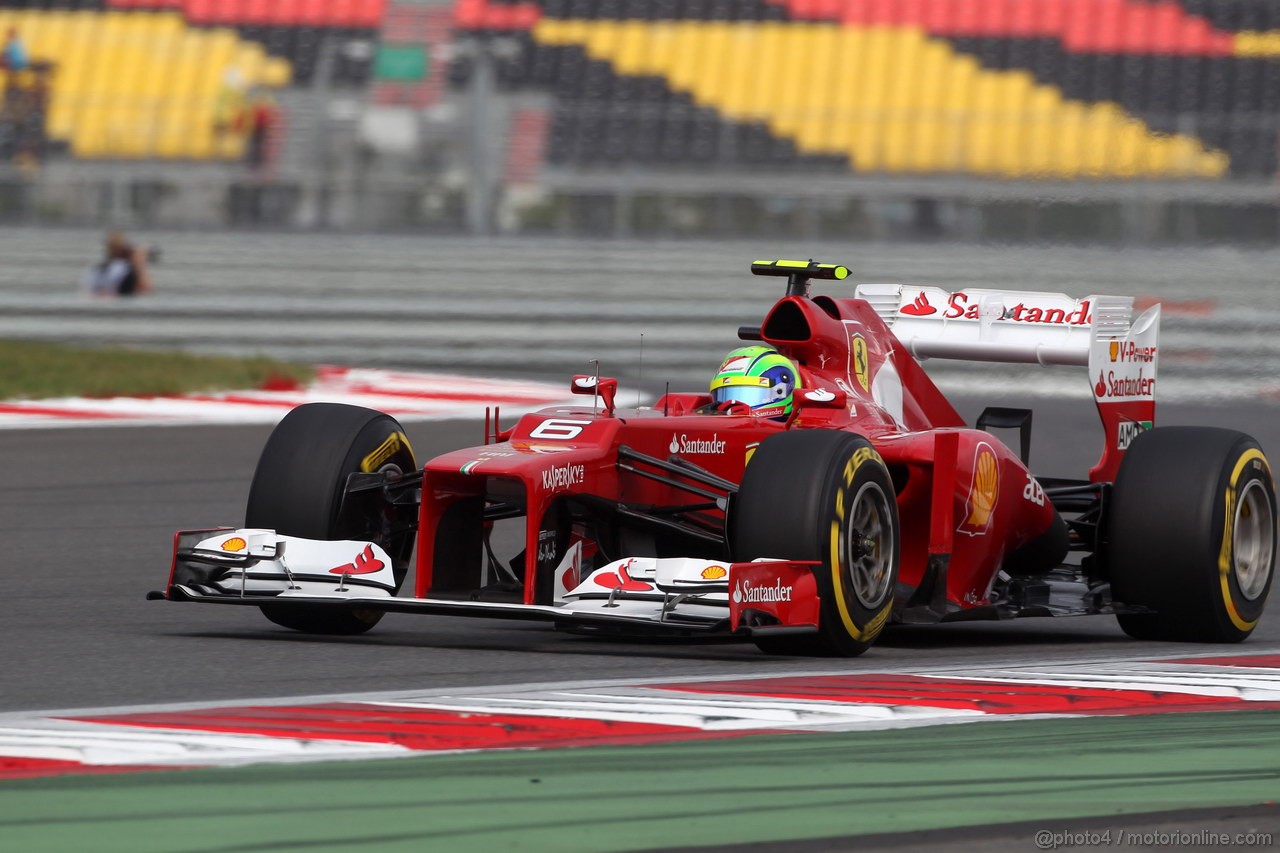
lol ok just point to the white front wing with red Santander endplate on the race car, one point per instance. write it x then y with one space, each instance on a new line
226 567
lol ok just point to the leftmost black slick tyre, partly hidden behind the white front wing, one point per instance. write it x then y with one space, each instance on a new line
299 491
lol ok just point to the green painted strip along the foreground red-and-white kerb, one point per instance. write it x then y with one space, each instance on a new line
721 792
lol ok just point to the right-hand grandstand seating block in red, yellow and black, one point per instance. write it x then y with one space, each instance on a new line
1063 89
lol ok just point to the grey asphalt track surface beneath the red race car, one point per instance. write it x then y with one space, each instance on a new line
88 517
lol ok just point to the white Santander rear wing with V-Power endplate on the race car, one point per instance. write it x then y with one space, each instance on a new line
1012 327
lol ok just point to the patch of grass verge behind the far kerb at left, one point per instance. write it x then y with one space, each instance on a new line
33 371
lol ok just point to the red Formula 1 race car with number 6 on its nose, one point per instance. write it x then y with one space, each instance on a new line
870 503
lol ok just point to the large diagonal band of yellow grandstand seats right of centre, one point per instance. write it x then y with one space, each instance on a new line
888 98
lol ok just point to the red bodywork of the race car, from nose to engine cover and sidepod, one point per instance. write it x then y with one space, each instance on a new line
962 492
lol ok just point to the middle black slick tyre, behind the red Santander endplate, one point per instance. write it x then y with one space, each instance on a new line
824 496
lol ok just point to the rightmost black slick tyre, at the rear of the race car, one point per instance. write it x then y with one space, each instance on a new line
1192 531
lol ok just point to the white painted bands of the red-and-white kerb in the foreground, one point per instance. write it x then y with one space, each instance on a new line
107 743
